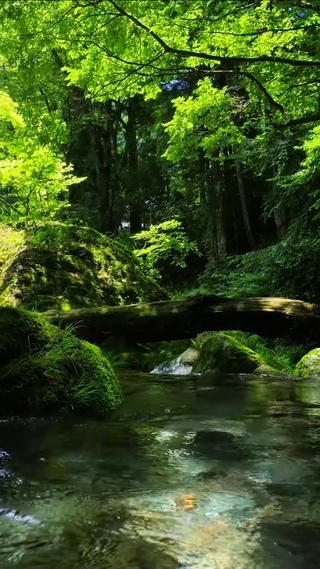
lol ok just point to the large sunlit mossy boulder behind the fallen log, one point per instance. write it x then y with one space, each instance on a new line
64 266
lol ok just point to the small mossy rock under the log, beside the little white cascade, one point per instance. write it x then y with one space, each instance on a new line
222 353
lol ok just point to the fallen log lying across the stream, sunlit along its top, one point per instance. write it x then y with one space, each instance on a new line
177 319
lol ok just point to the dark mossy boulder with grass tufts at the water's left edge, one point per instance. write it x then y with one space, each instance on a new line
43 368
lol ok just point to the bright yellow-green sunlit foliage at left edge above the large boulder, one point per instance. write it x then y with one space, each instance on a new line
34 179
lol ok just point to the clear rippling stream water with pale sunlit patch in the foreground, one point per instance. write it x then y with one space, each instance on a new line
191 473
